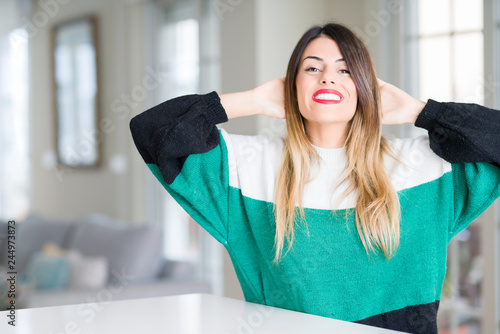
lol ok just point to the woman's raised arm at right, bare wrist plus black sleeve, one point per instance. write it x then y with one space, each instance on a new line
458 132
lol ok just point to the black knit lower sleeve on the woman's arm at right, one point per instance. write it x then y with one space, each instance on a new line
461 132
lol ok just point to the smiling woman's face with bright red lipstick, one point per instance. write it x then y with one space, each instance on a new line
326 92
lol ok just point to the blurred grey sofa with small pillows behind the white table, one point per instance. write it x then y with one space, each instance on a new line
95 259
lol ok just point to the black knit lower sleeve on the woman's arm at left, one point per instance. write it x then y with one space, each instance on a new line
171 131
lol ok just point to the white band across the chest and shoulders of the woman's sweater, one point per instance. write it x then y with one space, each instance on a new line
254 162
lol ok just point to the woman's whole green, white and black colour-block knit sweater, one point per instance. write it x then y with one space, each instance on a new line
226 183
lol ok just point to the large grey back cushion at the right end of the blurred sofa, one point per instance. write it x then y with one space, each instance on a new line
131 251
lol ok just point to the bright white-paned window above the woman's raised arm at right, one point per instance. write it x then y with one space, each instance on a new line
450 35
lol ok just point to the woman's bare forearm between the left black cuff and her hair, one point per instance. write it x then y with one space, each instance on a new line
267 99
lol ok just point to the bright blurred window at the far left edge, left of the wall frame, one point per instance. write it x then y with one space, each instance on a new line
14 125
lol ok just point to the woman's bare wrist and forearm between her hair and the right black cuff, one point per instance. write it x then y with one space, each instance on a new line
397 106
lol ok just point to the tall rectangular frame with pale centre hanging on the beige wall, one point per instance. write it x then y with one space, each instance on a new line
76 92
